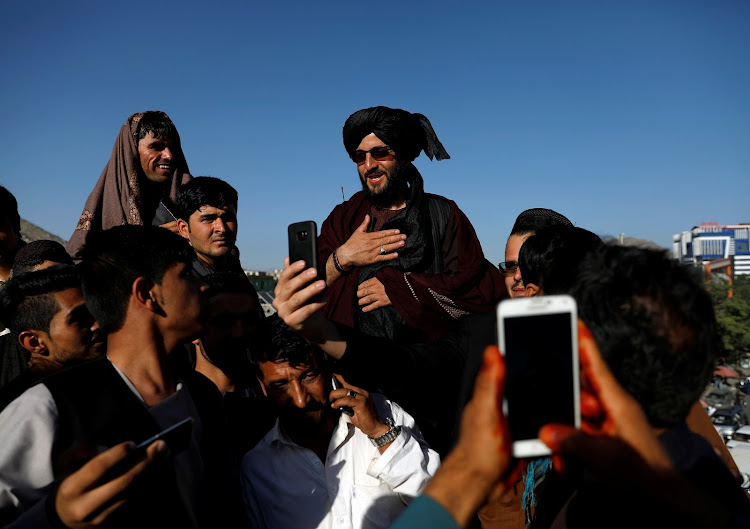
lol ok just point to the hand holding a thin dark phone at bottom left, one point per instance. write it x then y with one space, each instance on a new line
84 501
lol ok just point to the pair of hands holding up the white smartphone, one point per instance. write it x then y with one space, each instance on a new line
615 441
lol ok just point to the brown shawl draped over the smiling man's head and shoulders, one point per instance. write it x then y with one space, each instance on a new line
116 198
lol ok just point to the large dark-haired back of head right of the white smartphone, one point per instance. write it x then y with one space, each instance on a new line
655 325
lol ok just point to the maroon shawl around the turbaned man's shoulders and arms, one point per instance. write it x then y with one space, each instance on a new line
430 303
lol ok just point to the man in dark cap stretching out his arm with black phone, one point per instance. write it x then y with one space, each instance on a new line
407 372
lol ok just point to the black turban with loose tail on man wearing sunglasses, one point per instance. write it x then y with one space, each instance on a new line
406 133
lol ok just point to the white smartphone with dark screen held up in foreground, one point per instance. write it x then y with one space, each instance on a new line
538 337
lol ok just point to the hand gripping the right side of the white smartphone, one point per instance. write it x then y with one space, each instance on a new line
618 445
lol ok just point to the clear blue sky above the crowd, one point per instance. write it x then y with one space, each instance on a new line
628 117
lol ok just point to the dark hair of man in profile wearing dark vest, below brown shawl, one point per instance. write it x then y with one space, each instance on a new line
112 260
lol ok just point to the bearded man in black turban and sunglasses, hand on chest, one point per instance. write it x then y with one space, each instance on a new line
399 262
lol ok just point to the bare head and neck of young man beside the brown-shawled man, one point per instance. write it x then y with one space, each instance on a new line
207 209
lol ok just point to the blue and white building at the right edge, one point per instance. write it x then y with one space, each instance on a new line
716 248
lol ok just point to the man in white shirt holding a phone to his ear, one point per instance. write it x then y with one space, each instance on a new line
319 466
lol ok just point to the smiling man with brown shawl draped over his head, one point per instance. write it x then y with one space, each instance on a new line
140 181
